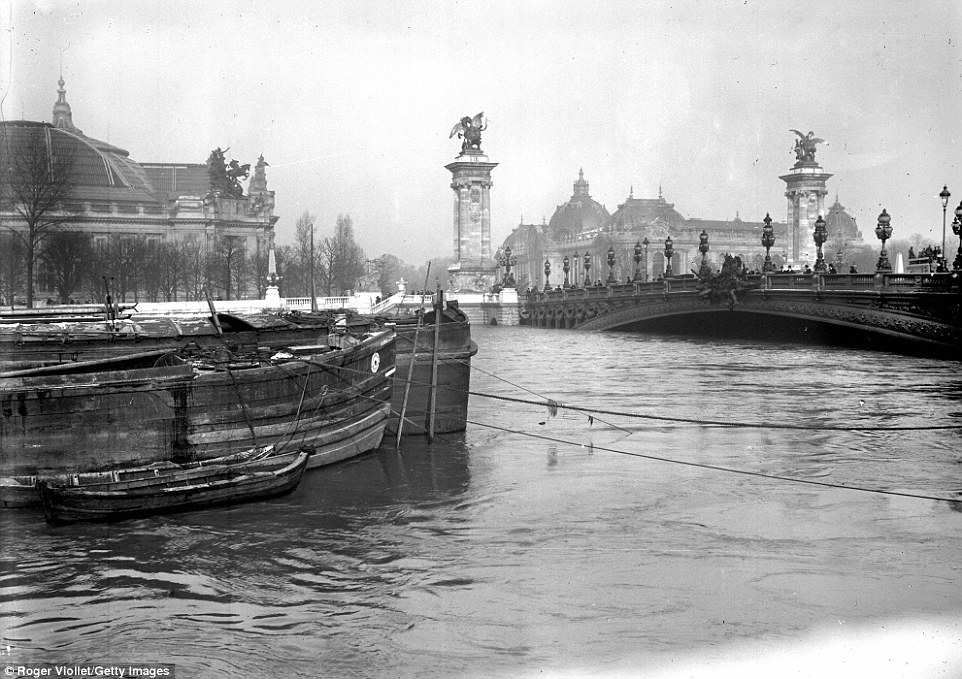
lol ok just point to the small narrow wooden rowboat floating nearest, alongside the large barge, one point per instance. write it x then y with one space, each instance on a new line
174 490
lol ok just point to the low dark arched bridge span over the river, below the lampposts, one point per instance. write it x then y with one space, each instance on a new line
916 312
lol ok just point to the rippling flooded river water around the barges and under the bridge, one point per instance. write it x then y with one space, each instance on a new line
547 542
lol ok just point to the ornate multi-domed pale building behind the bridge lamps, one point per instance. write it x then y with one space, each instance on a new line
584 233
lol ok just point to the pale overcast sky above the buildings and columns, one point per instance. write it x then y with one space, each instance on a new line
352 103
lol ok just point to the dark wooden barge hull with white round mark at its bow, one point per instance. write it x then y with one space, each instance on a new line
336 403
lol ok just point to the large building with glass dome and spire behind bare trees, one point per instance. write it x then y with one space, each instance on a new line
113 197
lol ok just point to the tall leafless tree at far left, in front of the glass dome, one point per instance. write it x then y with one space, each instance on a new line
39 183
